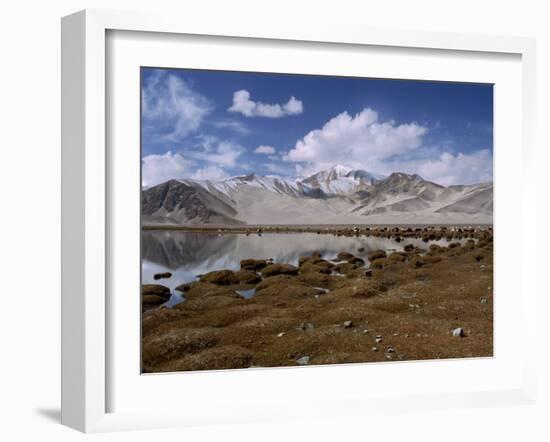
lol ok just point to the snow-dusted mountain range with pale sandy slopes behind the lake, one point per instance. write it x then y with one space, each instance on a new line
339 195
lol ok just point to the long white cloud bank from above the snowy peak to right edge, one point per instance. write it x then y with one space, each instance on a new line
364 142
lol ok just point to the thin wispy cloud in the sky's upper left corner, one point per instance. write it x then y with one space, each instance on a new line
171 110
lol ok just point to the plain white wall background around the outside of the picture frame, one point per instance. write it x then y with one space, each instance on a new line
30 217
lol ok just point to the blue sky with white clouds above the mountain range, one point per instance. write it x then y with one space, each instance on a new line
216 124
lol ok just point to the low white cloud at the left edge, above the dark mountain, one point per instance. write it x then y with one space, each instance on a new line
160 168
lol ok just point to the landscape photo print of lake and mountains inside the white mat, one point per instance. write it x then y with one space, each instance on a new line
299 220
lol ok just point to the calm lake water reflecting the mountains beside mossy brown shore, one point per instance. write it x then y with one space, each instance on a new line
189 254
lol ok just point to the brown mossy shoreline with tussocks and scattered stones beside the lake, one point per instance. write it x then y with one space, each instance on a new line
429 302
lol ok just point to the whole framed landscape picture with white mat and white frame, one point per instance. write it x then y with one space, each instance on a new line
250 212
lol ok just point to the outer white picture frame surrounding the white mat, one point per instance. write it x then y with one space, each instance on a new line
86 214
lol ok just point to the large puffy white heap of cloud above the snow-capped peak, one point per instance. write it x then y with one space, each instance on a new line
356 140
